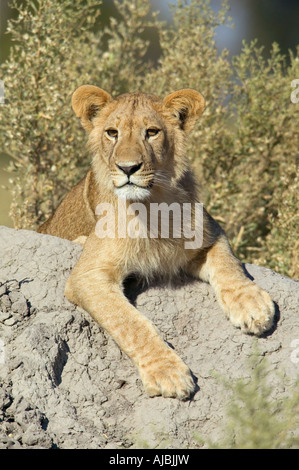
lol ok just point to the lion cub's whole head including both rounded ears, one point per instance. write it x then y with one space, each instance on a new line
138 140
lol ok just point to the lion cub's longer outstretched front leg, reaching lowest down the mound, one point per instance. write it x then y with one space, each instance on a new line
97 291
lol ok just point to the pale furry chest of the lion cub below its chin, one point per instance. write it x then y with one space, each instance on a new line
136 245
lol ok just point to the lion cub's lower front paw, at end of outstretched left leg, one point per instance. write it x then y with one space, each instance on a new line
167 376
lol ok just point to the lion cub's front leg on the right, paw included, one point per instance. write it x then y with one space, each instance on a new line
247 305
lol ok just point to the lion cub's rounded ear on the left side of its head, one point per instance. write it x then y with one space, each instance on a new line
87 100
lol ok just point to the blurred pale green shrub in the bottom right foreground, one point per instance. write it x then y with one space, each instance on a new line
255 417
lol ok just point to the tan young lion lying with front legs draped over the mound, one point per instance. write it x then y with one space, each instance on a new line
120 136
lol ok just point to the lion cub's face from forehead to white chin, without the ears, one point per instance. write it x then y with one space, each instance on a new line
134 144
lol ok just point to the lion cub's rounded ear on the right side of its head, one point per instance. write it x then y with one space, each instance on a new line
187 105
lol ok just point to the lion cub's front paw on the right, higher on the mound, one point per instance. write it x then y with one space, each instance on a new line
249 307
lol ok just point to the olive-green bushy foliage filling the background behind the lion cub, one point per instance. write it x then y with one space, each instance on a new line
245 147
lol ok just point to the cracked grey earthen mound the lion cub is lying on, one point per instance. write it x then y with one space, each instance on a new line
64 383
